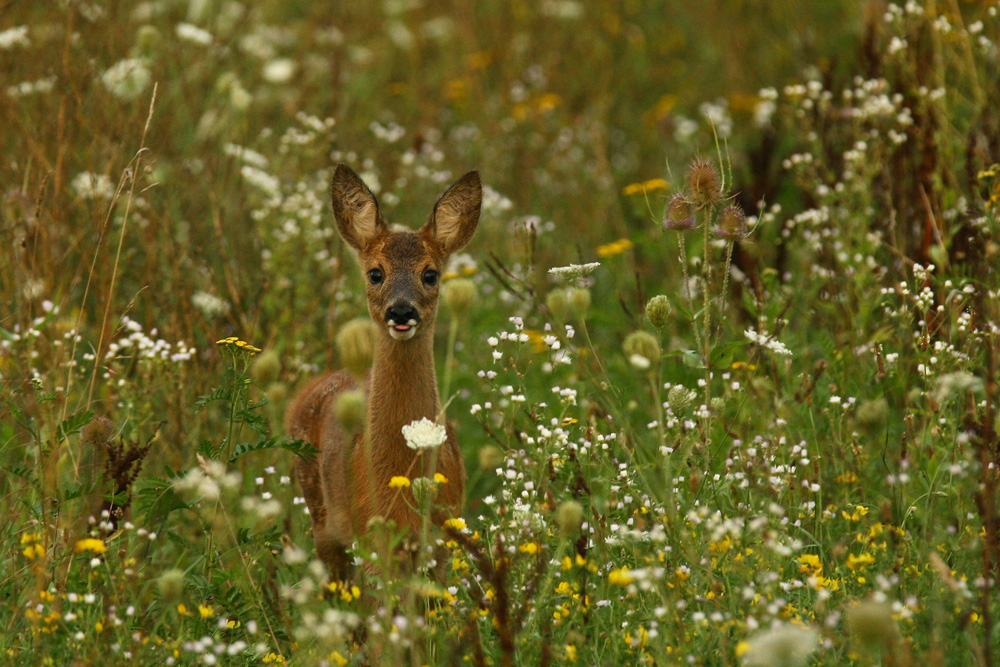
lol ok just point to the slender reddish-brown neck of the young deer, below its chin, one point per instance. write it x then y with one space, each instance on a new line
403 389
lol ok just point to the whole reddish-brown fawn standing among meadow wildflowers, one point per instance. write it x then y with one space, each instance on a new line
347 484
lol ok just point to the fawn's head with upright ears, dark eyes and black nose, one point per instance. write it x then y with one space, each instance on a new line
402 268
